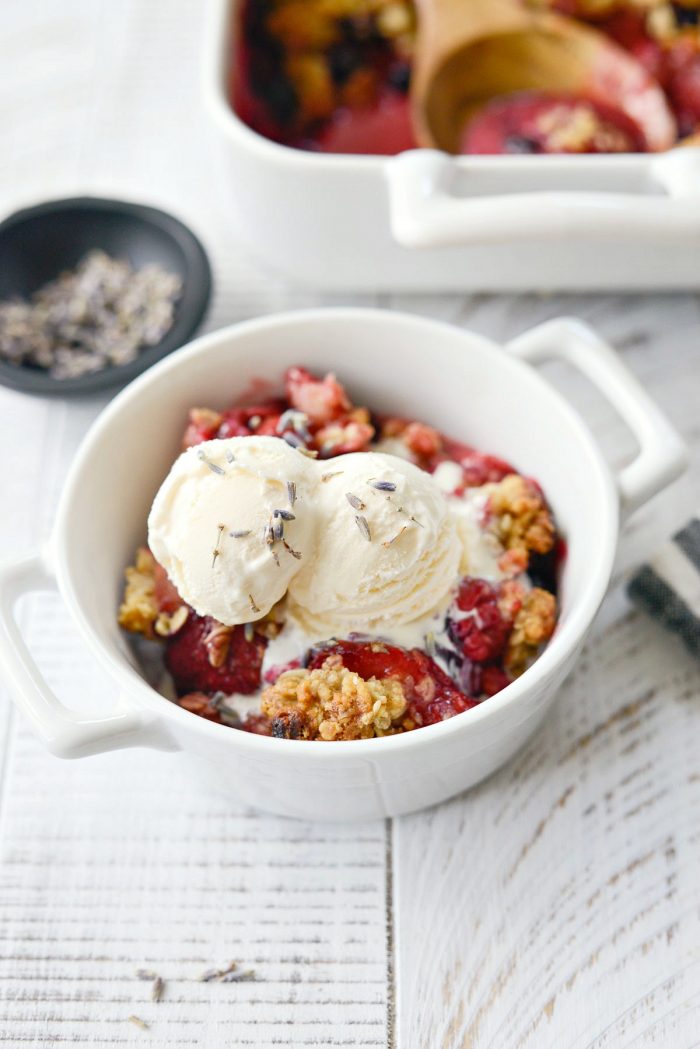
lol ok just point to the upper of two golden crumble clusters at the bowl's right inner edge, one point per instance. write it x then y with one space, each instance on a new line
522 521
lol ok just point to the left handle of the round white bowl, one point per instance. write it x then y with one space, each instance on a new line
66 733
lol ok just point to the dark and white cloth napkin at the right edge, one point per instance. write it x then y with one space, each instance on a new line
669 587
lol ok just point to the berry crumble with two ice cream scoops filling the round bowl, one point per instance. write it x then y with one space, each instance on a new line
320 572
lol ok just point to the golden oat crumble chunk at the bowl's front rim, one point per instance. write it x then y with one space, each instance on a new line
332 703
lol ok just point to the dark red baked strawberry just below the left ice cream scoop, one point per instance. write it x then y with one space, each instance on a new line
206 657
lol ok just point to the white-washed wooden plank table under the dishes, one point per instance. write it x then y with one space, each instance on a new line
556 907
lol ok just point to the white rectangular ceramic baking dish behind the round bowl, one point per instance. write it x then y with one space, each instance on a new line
425 221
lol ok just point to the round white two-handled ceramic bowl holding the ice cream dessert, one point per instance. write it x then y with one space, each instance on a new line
464 384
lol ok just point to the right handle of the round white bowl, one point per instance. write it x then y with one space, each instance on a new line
663 456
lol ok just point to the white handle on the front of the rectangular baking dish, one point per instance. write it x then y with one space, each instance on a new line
427 212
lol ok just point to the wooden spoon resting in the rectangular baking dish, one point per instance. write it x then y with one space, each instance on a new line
470 52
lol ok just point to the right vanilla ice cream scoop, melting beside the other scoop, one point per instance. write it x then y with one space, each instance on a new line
387 549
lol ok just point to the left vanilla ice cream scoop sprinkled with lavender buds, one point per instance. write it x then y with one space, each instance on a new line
232 525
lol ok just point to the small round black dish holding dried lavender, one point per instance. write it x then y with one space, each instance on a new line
37 244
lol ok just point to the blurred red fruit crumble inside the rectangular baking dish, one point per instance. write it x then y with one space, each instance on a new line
334 76
